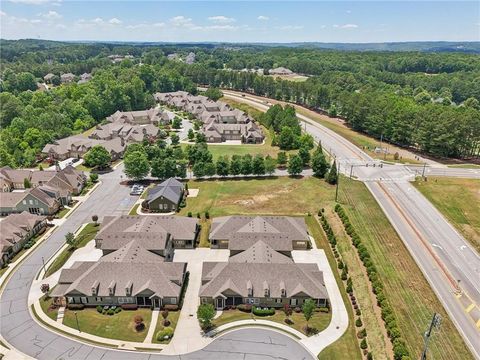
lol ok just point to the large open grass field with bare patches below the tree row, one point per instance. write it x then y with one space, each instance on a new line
283 195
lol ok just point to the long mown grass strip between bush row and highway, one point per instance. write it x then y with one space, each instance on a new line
409 293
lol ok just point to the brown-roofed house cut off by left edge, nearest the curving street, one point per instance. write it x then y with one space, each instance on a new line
17 229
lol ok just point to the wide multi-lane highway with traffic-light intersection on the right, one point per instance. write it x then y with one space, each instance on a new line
447 260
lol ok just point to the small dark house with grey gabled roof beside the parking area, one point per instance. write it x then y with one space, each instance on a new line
165 197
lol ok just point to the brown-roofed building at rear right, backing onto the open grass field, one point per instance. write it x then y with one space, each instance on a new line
238 233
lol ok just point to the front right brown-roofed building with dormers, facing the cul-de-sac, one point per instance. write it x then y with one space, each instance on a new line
261 284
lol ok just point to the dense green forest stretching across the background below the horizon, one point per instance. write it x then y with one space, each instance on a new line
426 101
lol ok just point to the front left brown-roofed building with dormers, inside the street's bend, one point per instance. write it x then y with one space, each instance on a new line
130 275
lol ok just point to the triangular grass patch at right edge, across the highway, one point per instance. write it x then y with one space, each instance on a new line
458 200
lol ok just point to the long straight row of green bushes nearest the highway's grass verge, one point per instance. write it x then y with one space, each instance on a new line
399 348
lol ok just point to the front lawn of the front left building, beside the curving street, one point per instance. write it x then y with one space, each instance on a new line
119 326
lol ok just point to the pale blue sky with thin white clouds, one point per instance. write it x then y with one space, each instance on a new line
241 21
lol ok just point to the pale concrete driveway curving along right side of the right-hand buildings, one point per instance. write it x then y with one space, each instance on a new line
339 322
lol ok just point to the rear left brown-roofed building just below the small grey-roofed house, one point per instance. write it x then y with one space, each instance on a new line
158 234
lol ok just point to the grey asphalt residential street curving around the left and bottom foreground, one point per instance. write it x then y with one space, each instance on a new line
19 329
